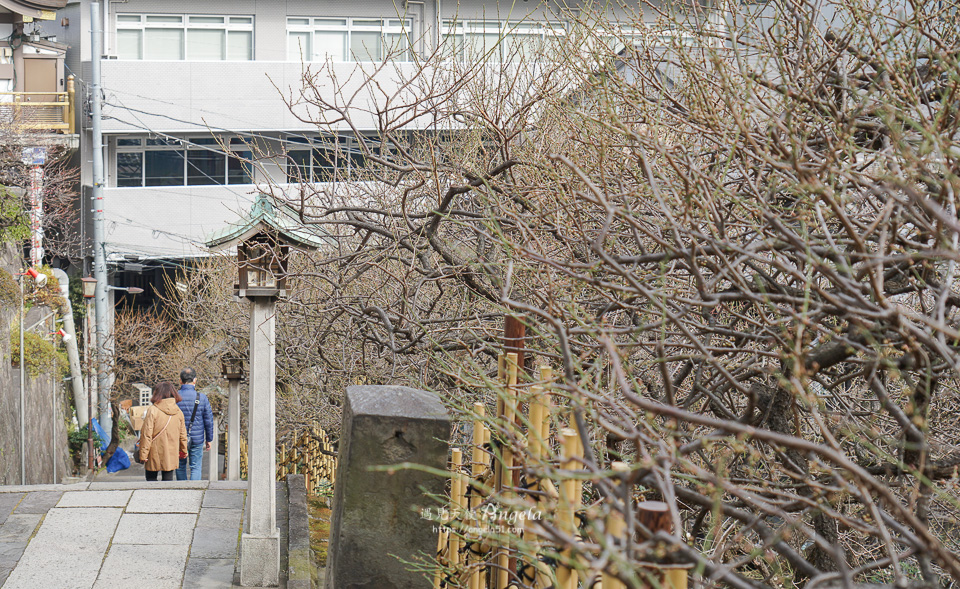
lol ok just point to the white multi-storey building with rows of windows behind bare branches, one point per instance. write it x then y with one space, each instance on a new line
175 73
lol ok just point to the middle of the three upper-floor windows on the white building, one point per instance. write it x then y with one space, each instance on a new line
347 39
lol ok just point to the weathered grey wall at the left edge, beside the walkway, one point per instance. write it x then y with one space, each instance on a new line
45 434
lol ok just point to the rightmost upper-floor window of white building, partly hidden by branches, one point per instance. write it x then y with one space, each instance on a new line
497 41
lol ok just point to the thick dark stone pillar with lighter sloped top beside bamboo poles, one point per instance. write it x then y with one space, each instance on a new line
377 515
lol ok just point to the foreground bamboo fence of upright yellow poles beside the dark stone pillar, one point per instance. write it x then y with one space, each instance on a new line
472 550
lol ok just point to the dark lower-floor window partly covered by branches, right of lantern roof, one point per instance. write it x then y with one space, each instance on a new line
324 160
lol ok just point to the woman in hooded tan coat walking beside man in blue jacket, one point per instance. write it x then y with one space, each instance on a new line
163 436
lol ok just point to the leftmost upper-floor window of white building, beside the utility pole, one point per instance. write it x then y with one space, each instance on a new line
174 37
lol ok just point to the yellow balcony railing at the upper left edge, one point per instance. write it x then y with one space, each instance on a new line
40 111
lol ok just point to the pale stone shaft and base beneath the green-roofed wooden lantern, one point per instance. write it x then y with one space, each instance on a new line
260 542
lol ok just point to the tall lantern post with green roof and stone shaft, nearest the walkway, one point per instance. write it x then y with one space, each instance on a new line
263 240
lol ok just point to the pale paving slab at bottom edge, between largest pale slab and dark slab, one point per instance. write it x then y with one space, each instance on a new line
153 567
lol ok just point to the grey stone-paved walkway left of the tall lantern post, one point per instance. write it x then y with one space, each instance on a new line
121 534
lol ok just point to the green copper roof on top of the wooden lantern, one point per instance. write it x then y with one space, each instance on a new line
265 217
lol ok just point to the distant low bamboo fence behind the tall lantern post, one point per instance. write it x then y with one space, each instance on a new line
311 454
